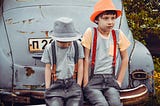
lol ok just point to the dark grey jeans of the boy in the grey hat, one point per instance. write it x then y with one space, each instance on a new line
64 92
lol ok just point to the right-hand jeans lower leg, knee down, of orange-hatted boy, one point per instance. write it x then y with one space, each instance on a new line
113 97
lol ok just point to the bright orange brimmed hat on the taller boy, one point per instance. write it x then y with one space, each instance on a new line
101 6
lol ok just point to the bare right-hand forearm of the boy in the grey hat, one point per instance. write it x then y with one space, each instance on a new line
80 71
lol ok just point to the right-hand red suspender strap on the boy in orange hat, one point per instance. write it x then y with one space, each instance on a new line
114 52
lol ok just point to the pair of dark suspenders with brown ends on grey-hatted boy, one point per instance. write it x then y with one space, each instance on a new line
53 73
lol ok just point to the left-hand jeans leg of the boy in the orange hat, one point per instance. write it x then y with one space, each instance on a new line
93 93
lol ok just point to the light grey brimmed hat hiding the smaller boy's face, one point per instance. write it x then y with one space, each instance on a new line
64 30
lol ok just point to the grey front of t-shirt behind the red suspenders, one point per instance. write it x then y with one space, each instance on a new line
103 63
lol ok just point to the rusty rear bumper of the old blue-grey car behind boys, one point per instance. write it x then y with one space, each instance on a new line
132 96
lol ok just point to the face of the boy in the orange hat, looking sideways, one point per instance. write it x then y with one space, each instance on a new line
106 22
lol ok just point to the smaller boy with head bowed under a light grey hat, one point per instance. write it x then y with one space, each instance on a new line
64 65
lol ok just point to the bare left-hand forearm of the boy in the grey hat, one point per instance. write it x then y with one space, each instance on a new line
47 75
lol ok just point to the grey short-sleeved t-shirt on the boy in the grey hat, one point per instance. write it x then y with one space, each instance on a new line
65 59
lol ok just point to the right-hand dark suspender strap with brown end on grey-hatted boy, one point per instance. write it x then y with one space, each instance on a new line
75 59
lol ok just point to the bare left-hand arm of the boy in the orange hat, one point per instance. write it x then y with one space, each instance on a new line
86 66
